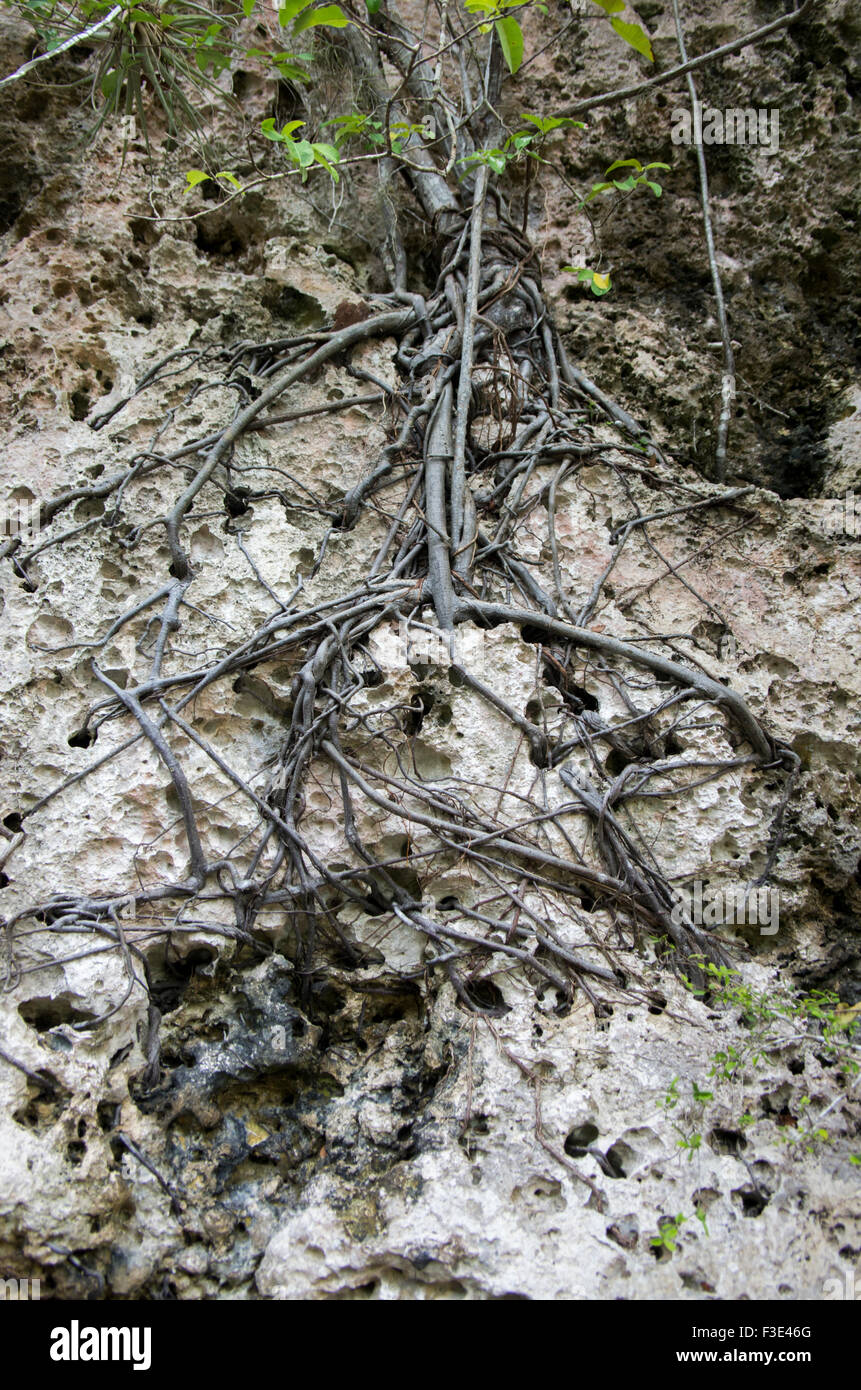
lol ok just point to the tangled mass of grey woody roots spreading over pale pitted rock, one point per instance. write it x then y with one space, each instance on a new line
492 423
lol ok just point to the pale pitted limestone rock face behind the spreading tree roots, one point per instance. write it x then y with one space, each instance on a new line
369 1136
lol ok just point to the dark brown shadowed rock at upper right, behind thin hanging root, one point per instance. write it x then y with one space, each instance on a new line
784 229
